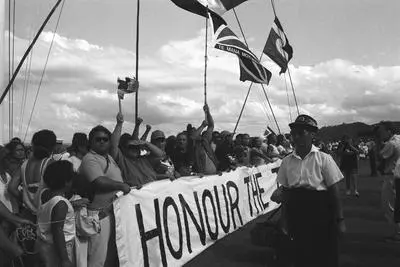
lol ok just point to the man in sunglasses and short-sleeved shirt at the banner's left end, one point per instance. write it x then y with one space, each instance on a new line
105 178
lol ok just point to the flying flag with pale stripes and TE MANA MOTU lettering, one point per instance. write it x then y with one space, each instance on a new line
226 40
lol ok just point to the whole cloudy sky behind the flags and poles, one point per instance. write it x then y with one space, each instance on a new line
346 65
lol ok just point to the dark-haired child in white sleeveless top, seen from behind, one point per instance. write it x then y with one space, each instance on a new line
56 216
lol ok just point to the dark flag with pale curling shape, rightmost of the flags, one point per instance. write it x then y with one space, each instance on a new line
277 46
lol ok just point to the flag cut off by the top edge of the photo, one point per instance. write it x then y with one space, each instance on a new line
199 7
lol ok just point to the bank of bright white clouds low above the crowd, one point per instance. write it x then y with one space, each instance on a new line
80 83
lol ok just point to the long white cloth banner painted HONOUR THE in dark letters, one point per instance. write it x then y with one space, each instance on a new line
168 223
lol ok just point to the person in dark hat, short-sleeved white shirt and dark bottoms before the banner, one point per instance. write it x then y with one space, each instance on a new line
310 184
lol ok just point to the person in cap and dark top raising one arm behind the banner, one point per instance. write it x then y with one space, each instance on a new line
136 170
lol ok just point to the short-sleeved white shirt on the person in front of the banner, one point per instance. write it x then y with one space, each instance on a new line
316 171
